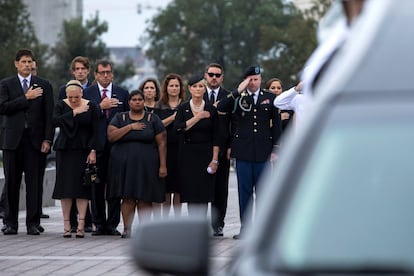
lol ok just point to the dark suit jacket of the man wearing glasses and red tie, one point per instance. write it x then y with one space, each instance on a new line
93 94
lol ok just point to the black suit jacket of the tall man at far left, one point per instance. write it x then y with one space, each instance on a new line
16 110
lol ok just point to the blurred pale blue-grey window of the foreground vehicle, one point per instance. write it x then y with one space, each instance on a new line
354 200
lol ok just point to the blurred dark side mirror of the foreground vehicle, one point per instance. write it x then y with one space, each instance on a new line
179 246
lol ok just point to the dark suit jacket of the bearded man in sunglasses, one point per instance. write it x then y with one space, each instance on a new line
224 122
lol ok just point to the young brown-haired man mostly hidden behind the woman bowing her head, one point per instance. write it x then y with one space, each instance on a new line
80 68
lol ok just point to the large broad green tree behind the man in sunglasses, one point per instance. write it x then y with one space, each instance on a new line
187 35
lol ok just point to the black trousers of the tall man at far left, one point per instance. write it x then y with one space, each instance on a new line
31 161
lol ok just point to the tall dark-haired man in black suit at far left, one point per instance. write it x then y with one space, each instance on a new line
26 134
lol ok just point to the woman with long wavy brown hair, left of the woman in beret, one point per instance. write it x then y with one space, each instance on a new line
172 94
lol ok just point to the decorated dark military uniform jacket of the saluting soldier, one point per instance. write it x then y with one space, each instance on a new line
254 137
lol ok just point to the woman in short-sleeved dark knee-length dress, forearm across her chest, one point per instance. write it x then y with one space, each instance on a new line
138 160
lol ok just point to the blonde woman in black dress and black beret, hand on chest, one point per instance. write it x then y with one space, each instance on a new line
198 152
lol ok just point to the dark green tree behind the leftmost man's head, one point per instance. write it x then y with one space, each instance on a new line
16 31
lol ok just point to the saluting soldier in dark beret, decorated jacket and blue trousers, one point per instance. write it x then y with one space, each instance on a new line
257 132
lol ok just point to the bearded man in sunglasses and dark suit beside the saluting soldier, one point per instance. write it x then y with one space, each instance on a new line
214 75
